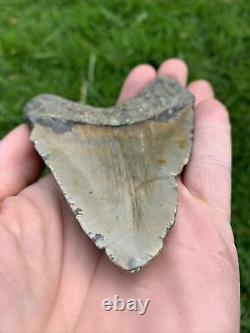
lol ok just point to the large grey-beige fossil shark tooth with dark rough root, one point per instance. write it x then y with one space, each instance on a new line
117 166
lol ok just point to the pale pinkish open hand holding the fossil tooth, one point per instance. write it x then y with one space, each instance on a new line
53 279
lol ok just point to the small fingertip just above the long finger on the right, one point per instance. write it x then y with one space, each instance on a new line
201 90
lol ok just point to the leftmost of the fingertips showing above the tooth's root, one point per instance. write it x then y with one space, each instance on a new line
137 79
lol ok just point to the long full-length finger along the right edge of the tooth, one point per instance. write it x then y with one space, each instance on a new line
208 174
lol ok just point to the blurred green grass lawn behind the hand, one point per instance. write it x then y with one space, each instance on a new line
53 46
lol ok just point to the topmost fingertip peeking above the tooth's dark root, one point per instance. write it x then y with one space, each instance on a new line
174 68
